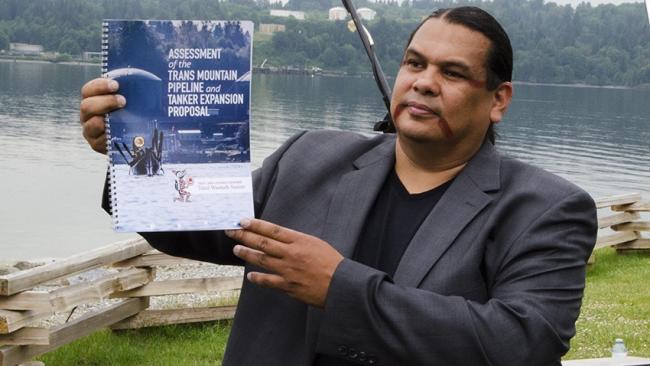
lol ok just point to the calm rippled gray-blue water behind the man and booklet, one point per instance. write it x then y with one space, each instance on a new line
51 181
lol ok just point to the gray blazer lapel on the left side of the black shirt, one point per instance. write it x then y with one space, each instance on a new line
355 195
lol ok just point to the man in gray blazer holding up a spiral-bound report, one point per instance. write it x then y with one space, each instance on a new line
423 248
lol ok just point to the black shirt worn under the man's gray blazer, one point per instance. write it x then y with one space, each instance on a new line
392 222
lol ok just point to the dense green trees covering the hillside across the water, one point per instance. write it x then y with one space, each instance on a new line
599 45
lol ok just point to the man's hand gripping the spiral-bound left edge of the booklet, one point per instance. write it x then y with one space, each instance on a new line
98 99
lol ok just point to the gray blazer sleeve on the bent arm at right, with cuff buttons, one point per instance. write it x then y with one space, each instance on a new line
528 320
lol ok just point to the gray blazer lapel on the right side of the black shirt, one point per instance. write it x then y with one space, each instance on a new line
462 201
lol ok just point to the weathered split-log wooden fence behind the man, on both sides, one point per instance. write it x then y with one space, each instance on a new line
24 305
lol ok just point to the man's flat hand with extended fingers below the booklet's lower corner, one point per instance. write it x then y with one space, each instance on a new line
301 265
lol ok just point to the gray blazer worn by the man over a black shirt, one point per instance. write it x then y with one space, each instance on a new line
494 275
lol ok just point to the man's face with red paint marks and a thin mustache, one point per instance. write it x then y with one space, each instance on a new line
440 91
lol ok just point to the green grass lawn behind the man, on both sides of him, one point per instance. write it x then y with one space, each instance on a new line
616 305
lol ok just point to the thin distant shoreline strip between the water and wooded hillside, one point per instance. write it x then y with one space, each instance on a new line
330 73
